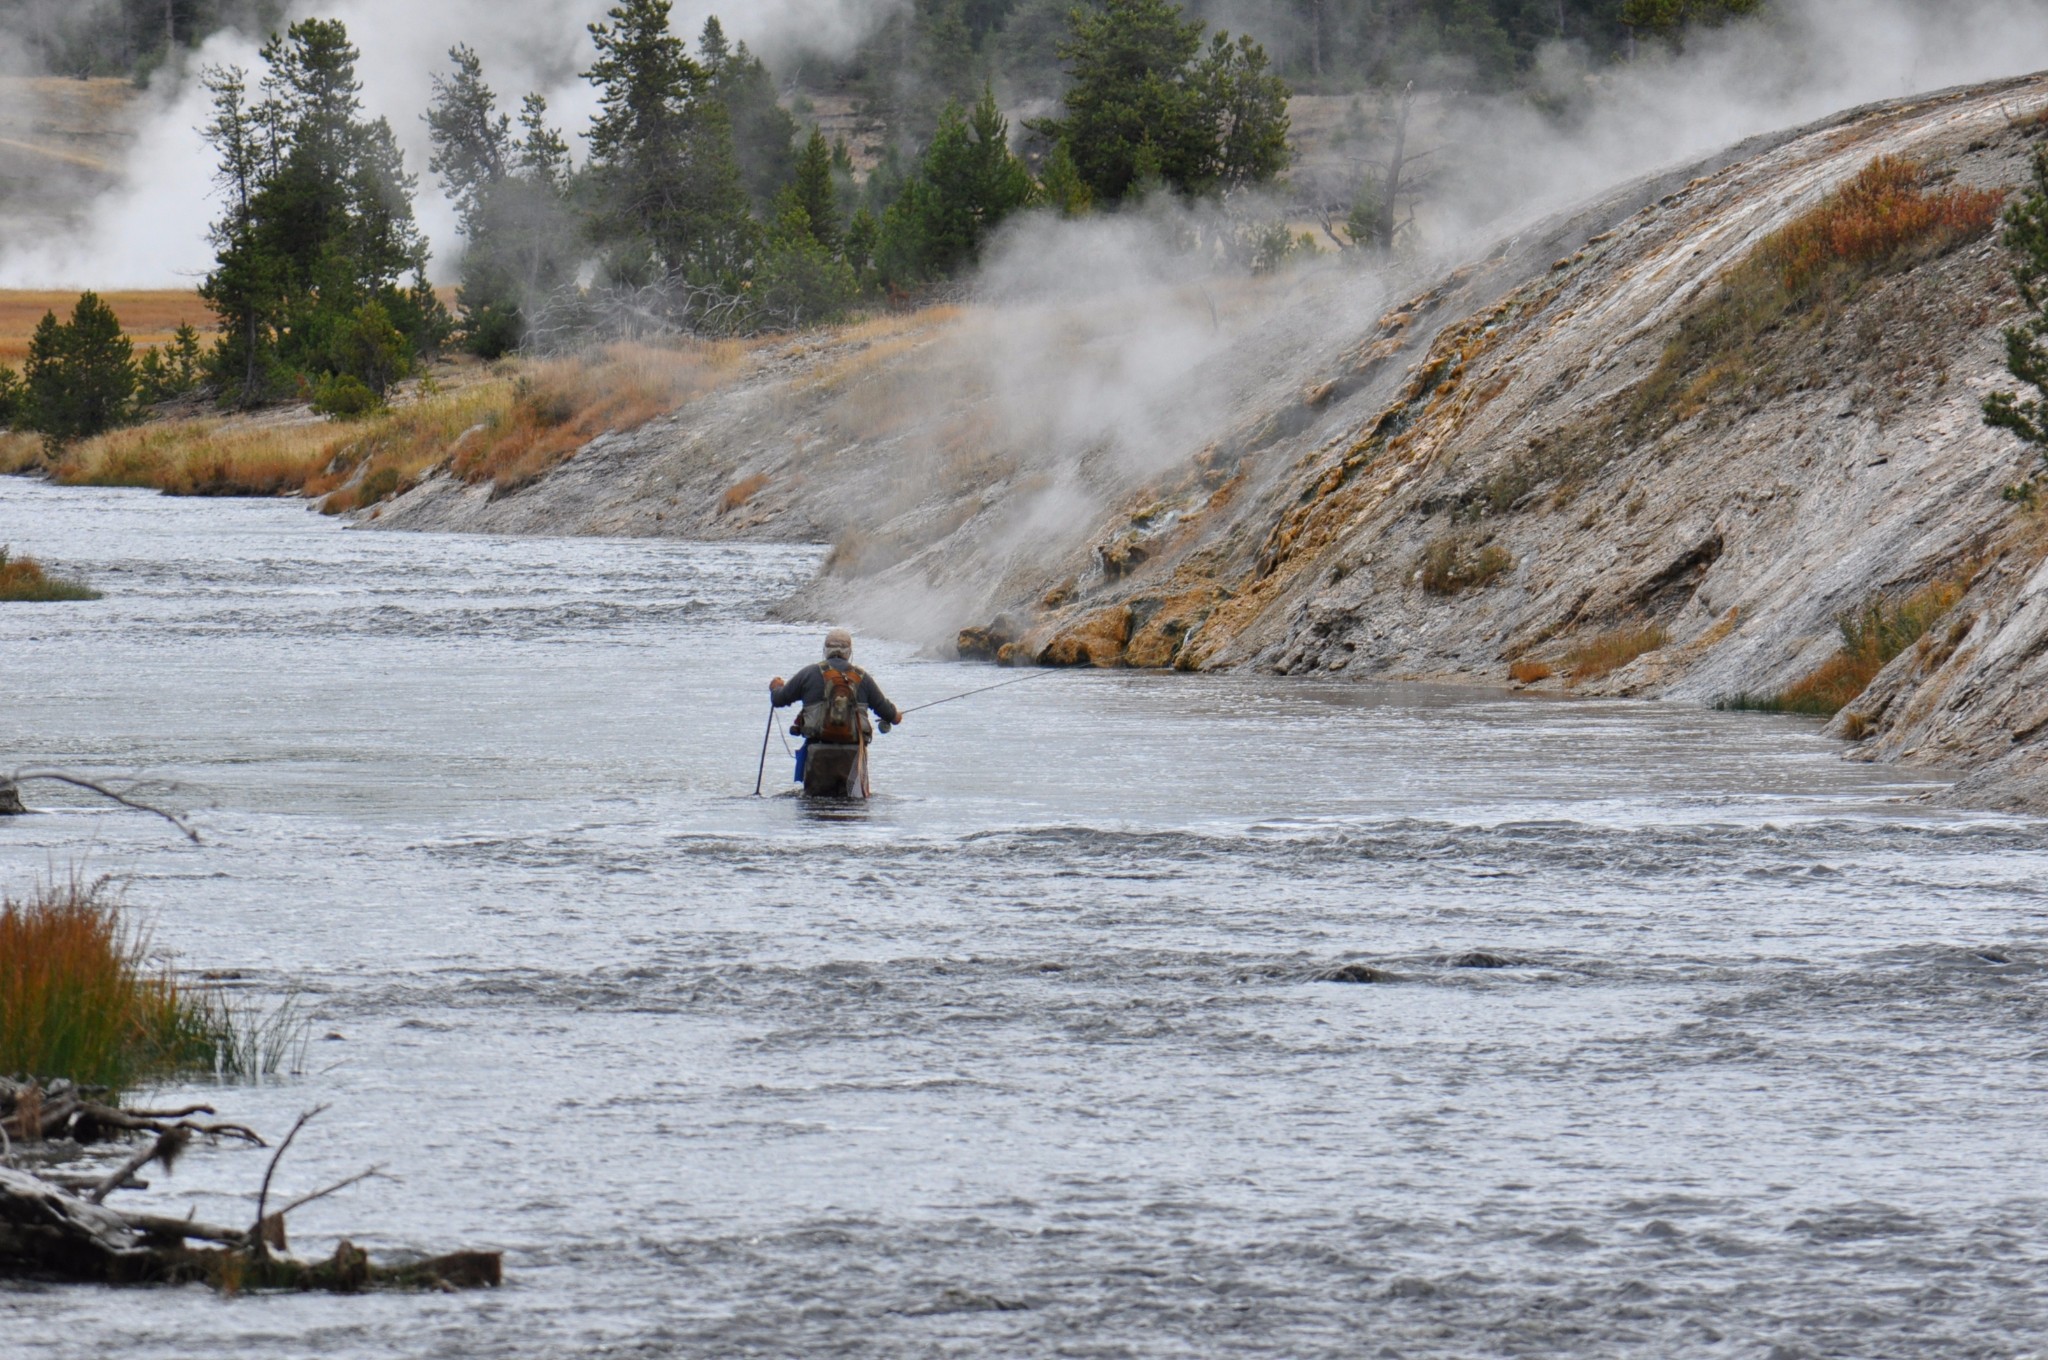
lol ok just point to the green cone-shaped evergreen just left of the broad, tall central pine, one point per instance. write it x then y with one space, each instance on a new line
966 185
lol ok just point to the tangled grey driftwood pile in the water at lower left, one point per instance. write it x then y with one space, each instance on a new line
60 1228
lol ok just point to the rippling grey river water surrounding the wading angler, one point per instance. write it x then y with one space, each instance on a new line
1033 1054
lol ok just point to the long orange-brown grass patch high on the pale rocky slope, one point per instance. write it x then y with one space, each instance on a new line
1881 222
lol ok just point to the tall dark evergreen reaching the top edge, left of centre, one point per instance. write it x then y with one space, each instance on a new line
663 171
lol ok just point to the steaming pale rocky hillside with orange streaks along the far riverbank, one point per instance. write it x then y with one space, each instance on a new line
1484 478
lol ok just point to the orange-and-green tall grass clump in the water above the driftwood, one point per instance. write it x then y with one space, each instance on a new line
81 1003
